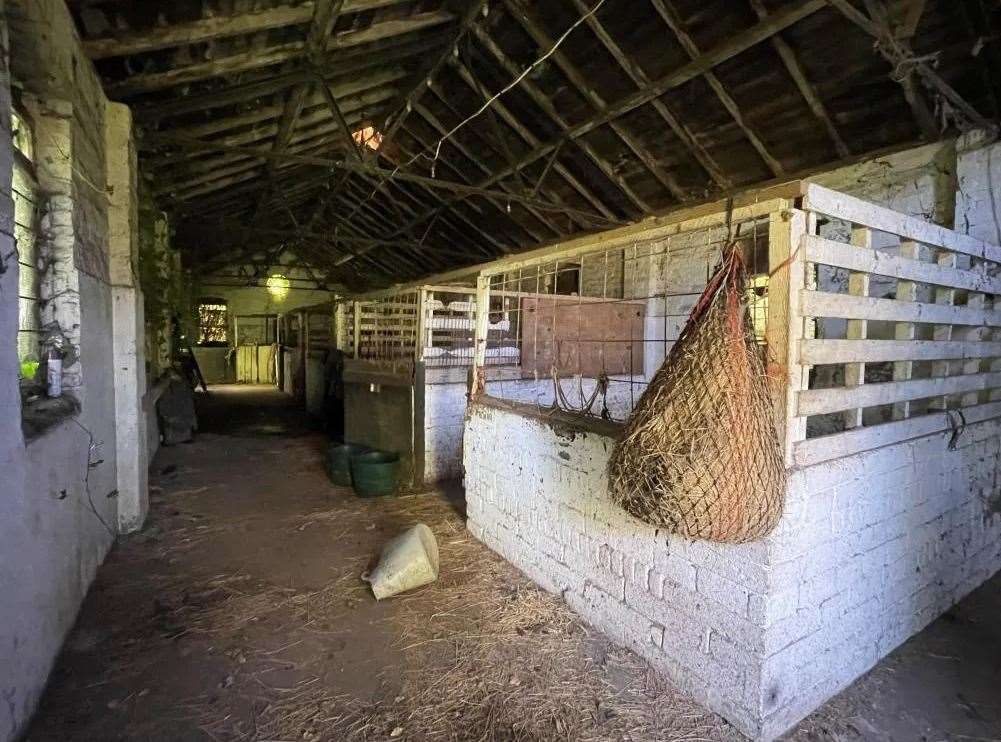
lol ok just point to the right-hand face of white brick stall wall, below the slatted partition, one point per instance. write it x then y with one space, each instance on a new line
872 549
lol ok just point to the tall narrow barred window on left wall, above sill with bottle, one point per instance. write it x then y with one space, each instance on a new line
27 218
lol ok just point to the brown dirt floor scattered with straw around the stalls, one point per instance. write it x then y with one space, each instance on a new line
239 614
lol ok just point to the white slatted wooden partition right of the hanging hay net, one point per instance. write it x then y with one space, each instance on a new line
910 338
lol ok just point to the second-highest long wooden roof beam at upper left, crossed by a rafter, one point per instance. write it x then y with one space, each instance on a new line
256 60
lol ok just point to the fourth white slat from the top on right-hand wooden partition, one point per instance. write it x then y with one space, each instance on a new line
816 353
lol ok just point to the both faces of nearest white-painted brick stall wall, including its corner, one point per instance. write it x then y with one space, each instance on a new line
870 550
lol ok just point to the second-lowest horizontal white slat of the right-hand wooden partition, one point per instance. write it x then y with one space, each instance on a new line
822 402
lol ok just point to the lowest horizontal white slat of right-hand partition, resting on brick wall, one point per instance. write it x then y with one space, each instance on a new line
827 448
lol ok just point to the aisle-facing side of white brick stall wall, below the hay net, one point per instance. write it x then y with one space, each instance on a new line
695 610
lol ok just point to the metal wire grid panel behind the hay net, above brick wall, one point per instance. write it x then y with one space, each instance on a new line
587 334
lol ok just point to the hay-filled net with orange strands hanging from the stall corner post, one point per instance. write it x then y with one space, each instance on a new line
701 454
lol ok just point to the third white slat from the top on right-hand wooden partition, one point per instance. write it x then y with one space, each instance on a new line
843 306
